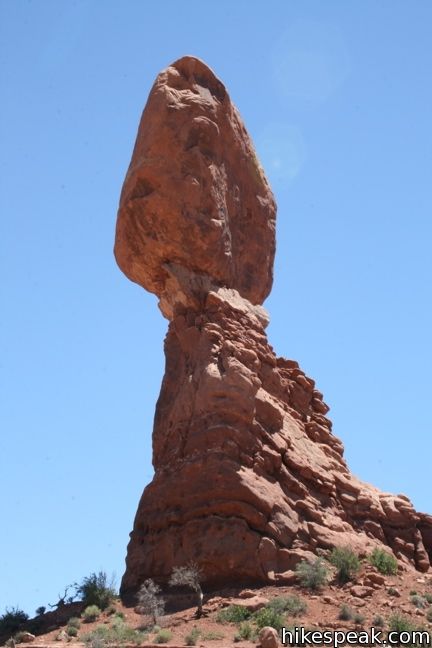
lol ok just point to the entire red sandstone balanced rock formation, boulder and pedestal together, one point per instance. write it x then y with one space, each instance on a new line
248 475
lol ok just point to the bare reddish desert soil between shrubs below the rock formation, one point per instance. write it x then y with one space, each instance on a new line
322 610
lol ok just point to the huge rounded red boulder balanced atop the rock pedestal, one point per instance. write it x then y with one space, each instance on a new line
195 197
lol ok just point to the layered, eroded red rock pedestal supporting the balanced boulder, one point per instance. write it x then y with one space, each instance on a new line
248 475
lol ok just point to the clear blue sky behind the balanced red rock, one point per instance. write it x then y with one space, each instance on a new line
338 98
